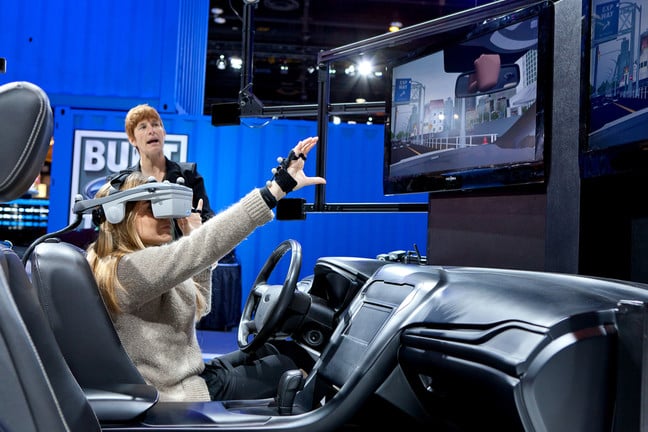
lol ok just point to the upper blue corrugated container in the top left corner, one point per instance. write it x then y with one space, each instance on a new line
105 54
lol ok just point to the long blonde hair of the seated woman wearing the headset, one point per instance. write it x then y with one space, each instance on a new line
113 242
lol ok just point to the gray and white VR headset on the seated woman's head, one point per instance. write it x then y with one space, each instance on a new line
168 201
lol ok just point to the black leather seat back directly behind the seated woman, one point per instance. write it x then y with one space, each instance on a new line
76 313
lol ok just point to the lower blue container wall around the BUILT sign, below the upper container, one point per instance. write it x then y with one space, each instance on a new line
235 159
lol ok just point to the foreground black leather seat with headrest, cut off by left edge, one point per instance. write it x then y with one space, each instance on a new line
38 391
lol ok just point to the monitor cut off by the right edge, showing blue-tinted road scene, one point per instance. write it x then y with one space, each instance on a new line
615 89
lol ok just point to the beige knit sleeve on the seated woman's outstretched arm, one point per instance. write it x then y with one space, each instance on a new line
148 273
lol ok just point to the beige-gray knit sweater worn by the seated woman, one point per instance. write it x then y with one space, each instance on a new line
158 319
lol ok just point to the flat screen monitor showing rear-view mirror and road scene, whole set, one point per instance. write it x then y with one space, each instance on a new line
467 108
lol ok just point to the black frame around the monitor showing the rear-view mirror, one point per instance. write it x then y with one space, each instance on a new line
521 176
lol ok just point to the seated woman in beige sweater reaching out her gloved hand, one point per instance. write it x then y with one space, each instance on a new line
156 289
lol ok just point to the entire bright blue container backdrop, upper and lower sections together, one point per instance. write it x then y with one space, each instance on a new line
94 70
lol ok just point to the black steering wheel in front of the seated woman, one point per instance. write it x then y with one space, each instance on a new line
266 305
